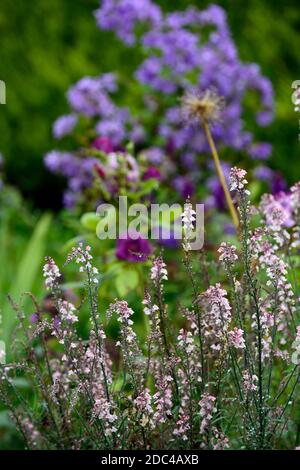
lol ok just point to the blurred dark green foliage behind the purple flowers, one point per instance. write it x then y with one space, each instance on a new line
47 45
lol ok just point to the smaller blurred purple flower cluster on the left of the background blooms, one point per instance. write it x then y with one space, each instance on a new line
113 125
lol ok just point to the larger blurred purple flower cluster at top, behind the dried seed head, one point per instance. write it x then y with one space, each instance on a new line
175 51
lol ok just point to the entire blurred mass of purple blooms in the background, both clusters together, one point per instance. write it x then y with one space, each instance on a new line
176 46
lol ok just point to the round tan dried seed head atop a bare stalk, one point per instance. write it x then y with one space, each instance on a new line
202 107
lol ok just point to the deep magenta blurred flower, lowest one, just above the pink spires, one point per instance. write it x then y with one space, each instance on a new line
133 250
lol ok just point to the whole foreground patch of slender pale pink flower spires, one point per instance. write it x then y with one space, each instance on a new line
229 363
